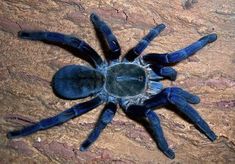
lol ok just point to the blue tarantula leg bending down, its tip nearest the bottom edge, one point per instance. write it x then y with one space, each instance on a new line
140 111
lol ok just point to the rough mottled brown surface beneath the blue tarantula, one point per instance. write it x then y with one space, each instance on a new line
26 69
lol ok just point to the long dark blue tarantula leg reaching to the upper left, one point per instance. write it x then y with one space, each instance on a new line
64 40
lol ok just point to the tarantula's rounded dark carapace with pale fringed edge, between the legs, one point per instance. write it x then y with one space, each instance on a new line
125 80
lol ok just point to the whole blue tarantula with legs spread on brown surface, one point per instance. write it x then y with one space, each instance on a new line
133 83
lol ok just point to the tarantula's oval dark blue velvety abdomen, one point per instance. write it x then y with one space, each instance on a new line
75 81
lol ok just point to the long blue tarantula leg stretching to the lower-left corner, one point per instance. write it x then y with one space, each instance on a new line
70 113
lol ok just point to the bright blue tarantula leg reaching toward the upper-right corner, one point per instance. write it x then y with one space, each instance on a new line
177 56
